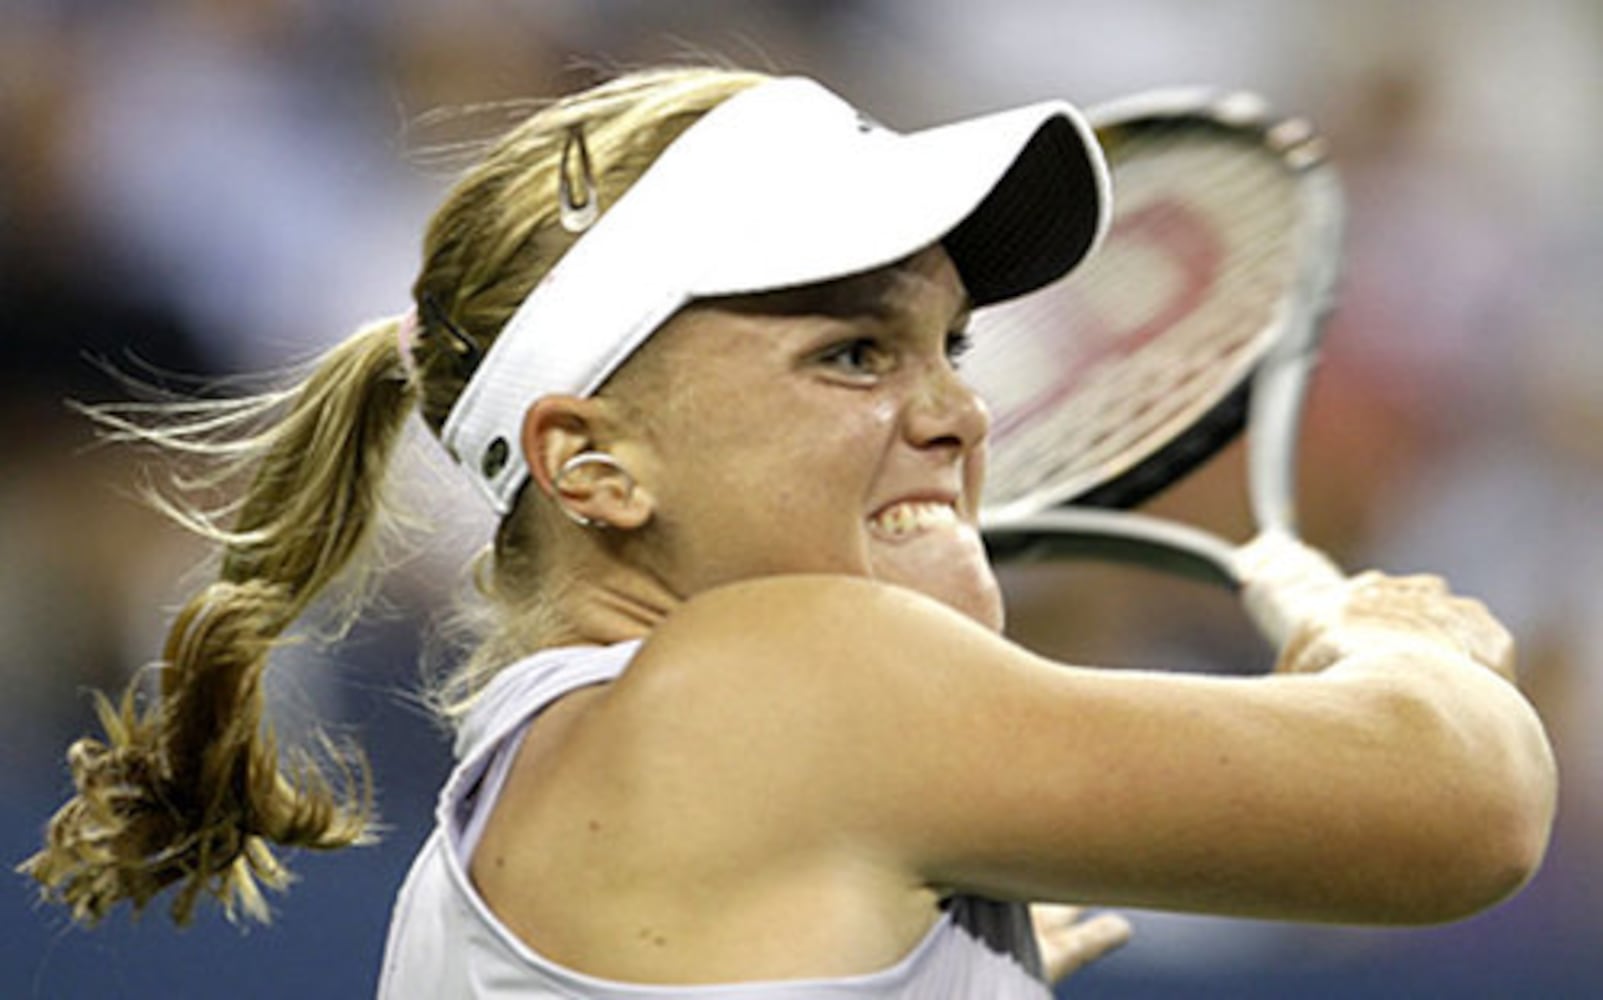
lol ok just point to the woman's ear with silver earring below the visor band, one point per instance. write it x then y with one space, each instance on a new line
567 445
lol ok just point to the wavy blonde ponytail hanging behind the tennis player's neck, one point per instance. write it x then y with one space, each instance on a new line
188 789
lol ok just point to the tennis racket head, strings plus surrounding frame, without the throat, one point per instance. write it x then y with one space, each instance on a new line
1118 381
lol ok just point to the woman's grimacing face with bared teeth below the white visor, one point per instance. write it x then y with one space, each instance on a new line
858 448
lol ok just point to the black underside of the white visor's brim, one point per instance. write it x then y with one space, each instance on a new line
1036 224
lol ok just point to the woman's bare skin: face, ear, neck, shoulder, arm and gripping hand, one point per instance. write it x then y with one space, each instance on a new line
799 746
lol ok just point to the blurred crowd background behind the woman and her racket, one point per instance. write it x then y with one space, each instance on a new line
222 187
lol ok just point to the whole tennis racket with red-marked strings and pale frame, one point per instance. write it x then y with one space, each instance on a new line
1200 317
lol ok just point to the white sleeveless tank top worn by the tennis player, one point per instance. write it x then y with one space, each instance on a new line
445 942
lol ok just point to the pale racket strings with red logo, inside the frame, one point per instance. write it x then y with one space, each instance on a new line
1091 376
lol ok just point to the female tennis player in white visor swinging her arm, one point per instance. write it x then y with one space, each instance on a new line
746 714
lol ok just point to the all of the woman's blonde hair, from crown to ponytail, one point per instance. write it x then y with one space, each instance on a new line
190 788
